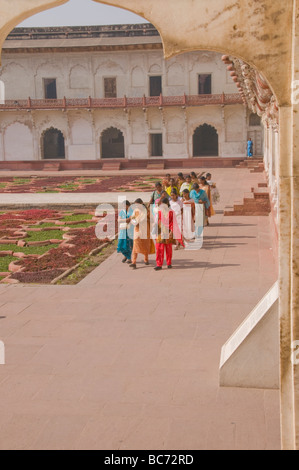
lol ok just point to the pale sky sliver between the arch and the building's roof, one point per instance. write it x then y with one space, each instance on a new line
82 13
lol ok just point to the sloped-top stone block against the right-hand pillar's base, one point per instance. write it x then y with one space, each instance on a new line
250 358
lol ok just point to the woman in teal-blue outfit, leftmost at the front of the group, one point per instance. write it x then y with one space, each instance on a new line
126 233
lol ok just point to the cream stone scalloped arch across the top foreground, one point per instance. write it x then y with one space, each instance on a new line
260 52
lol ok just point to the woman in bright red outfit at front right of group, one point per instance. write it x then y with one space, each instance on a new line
168 233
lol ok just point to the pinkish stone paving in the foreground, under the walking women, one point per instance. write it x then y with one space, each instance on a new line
129 360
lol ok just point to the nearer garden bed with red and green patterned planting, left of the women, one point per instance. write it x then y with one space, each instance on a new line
46 246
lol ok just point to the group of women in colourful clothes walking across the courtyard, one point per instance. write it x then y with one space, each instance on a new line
164 219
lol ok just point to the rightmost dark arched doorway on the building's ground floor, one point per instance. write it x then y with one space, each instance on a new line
205 142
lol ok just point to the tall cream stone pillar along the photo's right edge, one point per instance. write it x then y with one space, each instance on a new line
289 256
